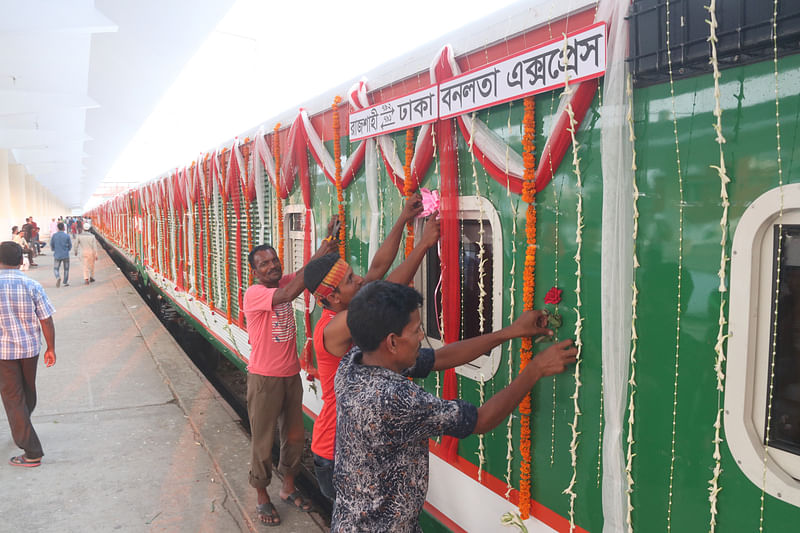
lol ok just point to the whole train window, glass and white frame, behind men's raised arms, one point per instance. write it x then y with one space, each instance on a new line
479 224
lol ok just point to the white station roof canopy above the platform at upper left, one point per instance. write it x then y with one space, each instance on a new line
78 78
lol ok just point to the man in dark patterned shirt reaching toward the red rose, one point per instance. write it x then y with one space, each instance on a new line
384 420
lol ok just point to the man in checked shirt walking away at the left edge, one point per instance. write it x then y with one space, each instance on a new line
24 308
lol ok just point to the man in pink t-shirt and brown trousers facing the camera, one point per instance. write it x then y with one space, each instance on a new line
274 390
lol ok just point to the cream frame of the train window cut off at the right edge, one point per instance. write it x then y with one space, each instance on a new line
751 316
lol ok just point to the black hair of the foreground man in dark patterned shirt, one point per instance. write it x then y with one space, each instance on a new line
378 309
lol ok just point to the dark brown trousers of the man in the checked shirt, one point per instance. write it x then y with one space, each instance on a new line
18 389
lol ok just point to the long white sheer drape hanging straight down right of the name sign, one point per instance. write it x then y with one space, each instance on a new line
616 269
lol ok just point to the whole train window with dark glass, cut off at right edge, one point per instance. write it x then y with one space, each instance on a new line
762 396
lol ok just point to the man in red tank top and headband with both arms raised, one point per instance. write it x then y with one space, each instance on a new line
334 284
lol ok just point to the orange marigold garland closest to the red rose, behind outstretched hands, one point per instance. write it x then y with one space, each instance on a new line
529 197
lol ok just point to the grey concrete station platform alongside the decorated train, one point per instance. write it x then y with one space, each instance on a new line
135 438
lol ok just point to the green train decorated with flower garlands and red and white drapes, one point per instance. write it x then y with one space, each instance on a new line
658 215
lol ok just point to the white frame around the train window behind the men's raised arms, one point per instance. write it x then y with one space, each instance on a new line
474 208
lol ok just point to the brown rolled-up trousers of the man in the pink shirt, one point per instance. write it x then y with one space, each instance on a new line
274 402
